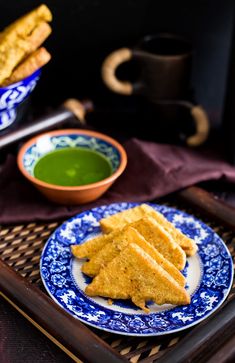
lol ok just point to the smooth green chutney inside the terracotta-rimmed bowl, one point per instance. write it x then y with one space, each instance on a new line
72 167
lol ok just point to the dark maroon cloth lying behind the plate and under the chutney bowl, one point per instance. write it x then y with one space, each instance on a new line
153 170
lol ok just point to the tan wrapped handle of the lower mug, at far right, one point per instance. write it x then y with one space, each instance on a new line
202 126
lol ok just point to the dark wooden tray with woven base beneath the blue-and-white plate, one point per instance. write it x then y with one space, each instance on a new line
21 286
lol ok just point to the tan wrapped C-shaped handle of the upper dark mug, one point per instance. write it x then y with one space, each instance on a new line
108 70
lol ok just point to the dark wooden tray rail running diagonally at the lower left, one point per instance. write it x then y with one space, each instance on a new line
61 325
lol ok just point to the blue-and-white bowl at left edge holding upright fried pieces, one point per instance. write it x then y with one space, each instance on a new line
13 95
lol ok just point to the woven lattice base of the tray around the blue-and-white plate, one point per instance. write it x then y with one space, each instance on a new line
20 249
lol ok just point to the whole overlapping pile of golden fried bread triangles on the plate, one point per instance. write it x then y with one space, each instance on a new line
138 260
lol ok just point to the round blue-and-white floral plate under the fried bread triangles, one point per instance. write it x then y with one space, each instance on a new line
209 277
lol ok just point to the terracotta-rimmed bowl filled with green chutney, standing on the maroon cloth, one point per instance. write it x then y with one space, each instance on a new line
72 166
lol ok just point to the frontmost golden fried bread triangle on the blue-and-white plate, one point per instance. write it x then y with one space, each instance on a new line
134 274
